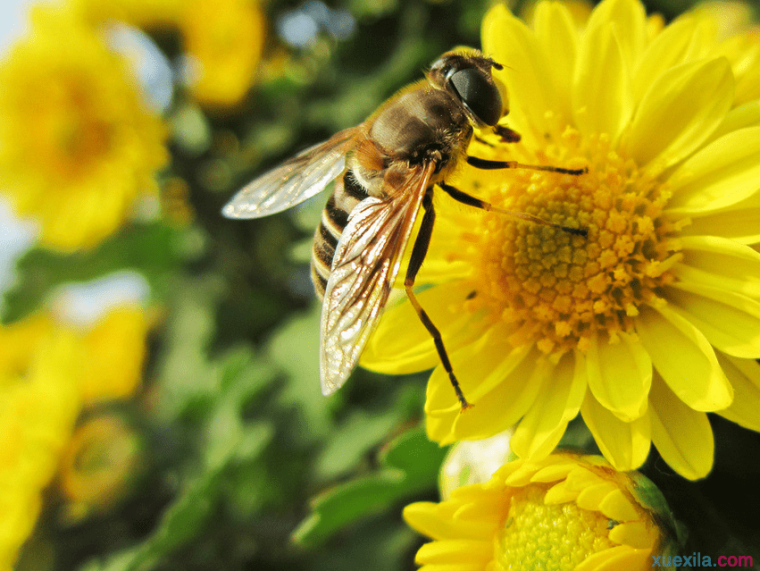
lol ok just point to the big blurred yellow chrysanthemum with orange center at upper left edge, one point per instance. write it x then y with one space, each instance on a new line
78 143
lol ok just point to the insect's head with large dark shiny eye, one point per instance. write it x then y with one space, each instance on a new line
466 75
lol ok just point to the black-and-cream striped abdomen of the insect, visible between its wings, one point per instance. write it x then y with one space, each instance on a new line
348 193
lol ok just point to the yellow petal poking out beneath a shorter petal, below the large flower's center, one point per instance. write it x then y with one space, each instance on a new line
624 444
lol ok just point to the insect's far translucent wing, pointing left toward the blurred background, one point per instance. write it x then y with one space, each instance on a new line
297 179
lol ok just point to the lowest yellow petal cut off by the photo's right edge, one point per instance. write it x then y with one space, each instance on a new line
744 375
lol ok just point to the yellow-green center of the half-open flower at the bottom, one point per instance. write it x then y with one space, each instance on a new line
553 537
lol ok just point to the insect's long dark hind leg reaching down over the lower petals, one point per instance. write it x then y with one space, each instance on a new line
419 251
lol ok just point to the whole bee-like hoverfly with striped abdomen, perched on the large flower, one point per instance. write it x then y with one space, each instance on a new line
387 169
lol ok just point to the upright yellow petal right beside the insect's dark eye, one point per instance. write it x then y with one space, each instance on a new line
510 42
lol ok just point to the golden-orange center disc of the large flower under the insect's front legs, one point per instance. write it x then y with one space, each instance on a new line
556 288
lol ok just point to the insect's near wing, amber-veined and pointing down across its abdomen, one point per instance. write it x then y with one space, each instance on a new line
364 268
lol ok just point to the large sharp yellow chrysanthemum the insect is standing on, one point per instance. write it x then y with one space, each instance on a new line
651 320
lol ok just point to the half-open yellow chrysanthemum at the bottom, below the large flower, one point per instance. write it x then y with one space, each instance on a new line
563 513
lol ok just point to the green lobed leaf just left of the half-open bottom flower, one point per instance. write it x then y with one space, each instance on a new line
409 466
